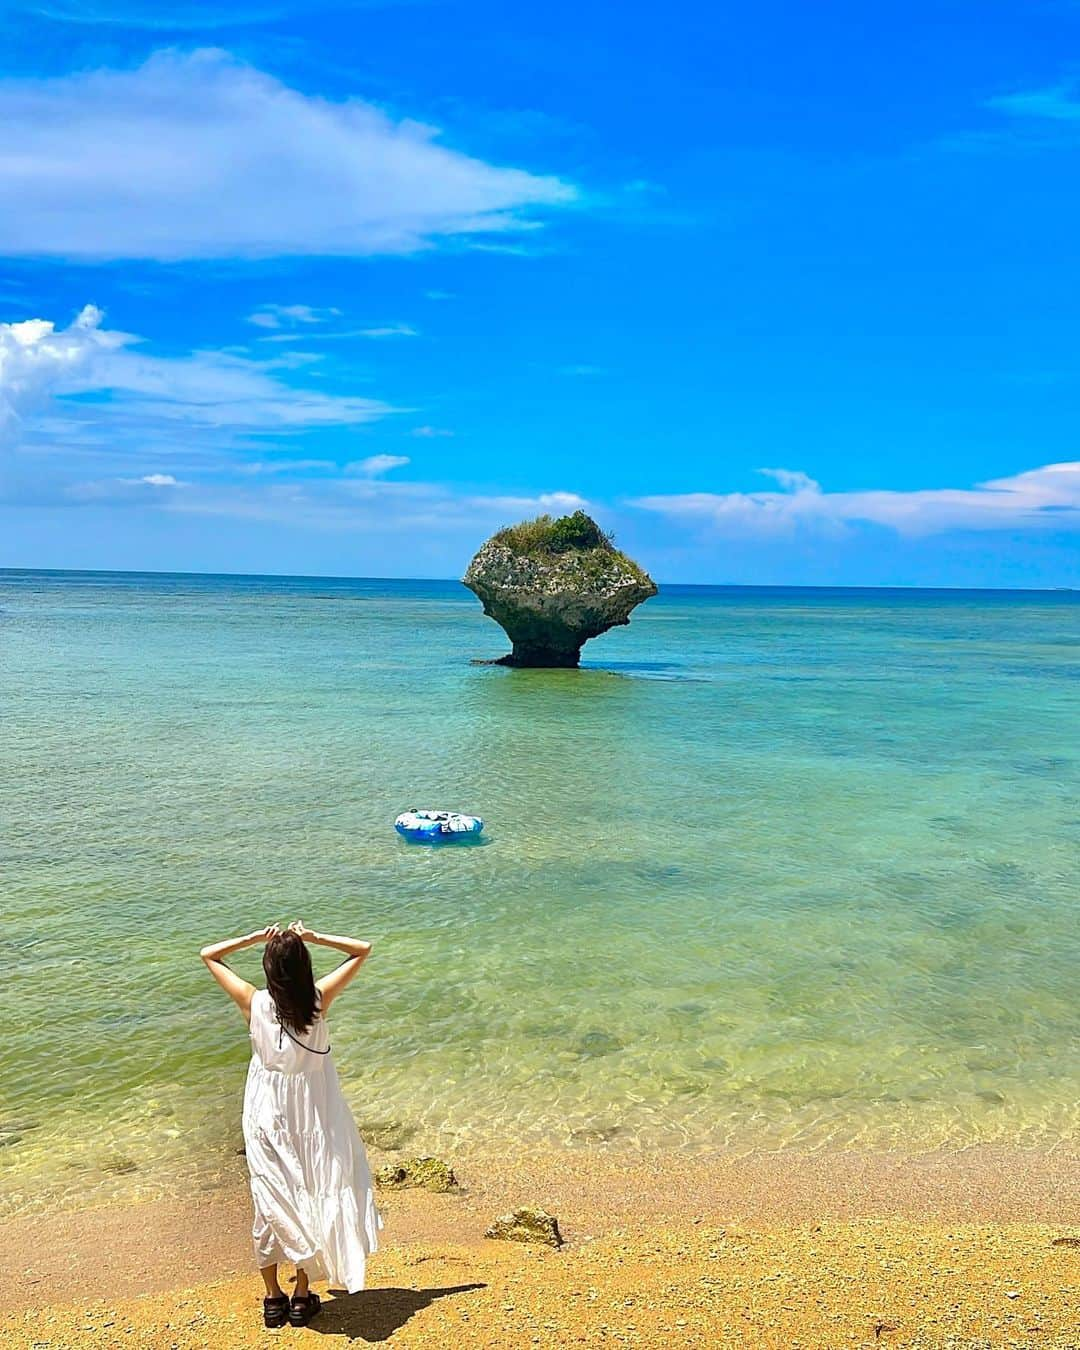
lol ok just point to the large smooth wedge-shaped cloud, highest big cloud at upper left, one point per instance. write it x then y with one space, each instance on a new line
200 156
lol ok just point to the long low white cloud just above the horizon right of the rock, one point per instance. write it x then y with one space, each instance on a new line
1040 499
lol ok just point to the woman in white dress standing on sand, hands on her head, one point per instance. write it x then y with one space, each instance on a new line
310 1177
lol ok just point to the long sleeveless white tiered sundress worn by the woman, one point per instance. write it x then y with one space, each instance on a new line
310 1178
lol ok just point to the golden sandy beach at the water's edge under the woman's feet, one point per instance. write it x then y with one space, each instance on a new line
773 1251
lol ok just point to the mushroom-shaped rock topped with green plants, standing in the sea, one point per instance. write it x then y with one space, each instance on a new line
556 584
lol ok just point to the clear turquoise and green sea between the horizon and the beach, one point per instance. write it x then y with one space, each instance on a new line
774 869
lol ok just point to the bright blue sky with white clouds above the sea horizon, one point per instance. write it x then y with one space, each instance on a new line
784 294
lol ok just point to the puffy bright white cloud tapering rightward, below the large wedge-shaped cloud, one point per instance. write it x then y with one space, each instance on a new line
41 365
